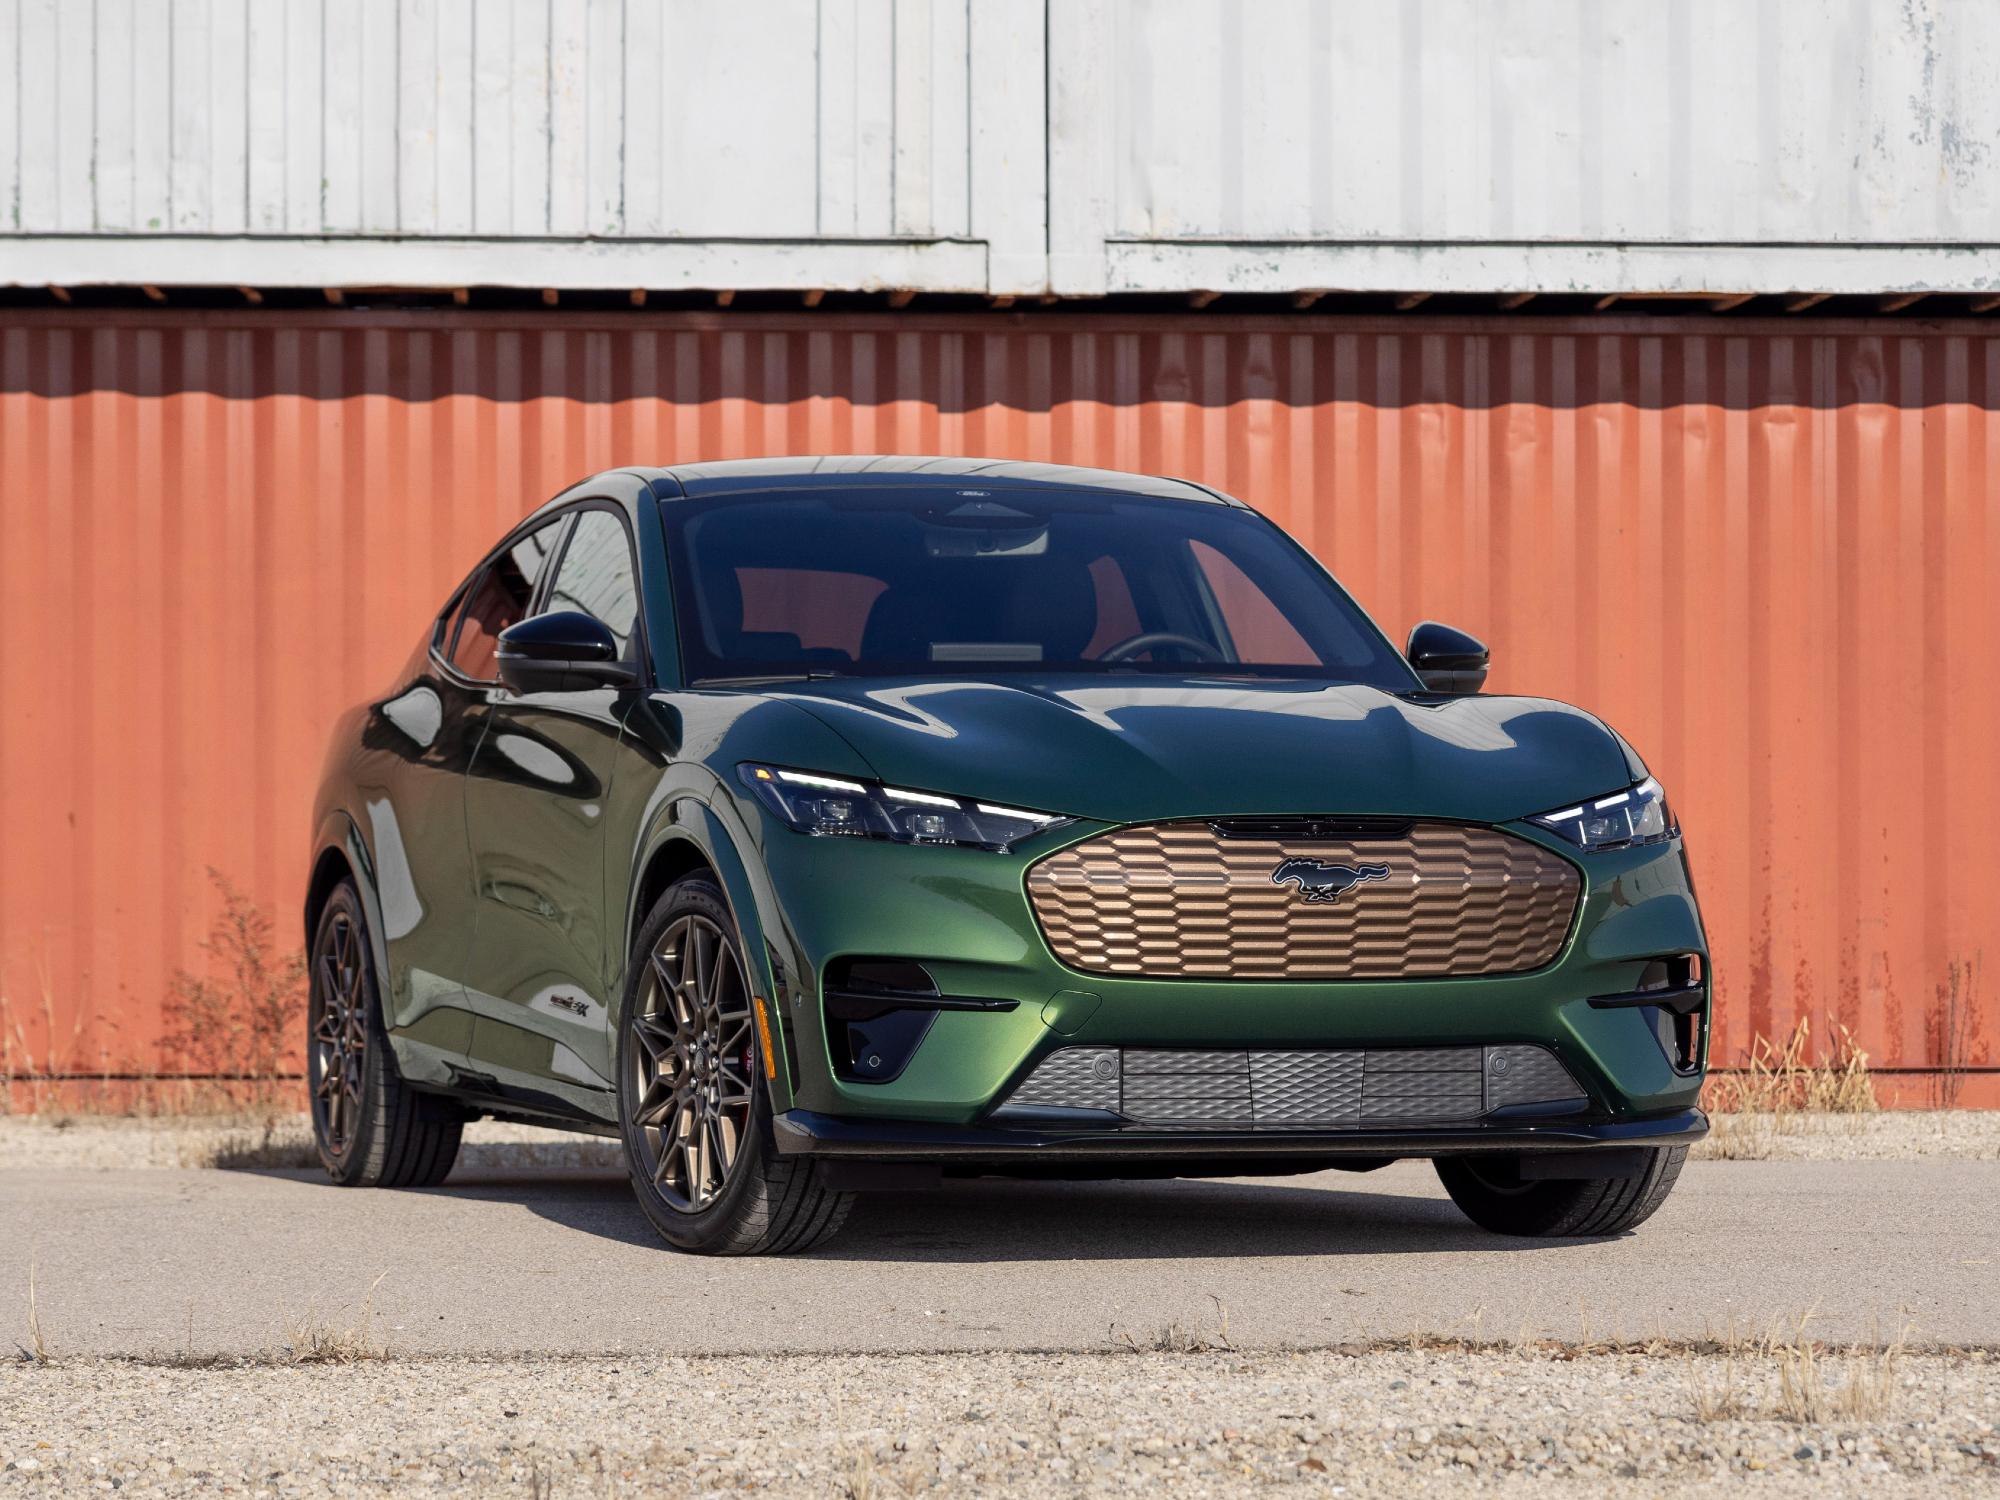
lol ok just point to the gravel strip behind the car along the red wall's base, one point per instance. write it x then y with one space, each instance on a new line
109 1143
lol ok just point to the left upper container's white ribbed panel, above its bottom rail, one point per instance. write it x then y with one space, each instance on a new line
789 119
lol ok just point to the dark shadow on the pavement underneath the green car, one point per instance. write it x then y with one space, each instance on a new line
1005 1221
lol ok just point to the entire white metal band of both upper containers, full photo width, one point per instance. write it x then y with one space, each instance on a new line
1007 145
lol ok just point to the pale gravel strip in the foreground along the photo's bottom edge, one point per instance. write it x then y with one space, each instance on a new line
1547 1421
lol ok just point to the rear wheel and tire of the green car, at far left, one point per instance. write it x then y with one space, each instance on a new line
371 1127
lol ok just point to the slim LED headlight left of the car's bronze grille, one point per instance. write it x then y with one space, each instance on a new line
853 809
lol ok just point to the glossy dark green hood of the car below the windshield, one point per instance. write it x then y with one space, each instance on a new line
1145 749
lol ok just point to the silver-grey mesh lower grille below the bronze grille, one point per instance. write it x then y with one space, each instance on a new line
1363 1089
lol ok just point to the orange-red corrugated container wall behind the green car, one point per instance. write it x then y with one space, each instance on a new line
1767 553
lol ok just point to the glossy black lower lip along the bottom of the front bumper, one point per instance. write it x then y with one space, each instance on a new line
805 1133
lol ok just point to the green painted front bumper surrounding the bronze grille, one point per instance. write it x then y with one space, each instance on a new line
967 919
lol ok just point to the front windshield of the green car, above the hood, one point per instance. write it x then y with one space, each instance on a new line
959 581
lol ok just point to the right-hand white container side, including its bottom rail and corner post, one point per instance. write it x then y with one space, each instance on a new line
1527 145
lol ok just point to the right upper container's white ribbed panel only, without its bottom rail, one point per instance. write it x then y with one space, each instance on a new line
1601 121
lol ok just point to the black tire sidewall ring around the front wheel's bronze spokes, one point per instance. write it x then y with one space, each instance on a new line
691 895
